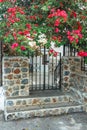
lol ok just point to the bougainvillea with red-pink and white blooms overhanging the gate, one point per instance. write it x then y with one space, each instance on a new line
26 25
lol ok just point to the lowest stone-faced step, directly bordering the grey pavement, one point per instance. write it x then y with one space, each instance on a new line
48 111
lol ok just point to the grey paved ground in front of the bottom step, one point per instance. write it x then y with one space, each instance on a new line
76 121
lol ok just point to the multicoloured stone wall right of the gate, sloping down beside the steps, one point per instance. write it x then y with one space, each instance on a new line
73 79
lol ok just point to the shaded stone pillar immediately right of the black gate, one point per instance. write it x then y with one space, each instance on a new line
70 66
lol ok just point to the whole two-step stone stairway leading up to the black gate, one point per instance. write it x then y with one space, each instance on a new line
41 105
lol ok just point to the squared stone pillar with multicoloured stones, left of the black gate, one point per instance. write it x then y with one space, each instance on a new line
15 76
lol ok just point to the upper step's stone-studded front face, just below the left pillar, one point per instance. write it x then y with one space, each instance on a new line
35 102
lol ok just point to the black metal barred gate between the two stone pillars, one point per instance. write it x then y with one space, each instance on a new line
45 70
